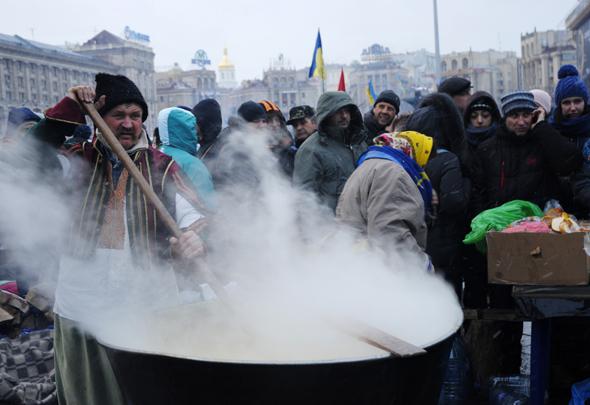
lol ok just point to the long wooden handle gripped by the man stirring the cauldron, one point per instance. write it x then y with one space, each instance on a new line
152 197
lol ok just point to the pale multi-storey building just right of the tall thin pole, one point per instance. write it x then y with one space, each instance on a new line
493 71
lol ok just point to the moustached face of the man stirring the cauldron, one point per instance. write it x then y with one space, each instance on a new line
125 122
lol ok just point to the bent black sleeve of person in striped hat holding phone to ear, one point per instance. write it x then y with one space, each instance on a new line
563 156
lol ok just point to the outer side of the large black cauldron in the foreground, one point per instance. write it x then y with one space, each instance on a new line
154 379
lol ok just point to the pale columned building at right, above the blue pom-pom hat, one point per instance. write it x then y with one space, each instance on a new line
542 55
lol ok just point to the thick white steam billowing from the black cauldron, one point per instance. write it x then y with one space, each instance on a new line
290 270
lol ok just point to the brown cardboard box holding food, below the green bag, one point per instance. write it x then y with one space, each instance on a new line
538 259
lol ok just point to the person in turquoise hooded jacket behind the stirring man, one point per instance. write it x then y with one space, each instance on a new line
177 129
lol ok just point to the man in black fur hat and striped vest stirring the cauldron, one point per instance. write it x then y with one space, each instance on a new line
114 228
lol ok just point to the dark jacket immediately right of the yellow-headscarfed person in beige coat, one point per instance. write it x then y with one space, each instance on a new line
454 190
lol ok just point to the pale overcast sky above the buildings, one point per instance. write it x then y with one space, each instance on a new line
255 32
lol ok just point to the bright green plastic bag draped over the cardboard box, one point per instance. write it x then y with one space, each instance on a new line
496 219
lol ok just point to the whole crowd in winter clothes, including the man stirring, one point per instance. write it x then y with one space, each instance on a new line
408 181
